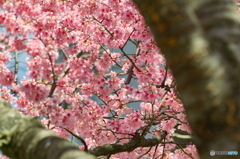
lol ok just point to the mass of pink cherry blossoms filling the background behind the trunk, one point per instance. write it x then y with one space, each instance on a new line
83 78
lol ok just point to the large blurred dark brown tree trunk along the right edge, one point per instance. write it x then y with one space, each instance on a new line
200 40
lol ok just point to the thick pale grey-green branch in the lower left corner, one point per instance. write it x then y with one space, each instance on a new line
25 138
